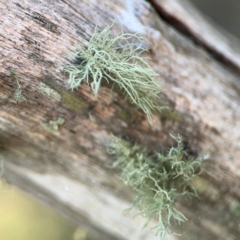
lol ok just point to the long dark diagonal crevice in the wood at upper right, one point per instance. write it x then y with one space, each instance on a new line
183 29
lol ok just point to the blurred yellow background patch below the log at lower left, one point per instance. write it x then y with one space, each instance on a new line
24 218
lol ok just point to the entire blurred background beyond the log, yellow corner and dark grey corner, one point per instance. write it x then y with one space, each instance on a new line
32 220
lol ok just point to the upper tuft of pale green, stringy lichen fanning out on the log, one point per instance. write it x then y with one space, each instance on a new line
116 59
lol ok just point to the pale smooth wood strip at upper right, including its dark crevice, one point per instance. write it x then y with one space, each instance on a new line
183 16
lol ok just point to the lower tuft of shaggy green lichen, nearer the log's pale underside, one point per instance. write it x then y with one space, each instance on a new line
158 180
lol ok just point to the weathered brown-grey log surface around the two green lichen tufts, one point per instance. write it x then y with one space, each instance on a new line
67 168
